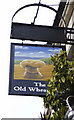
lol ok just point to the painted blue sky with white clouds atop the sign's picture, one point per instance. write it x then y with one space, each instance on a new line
32 52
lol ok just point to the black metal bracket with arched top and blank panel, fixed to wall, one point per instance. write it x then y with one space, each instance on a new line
33 32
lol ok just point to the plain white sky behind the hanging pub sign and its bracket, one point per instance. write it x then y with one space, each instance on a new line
18 106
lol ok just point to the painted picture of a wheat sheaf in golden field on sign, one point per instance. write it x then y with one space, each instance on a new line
32 63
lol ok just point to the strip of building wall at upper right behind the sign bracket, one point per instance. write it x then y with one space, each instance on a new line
66 9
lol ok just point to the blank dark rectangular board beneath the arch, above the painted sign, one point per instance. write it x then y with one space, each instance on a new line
38 33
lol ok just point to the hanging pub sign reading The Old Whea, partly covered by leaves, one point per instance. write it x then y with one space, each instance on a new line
30 68
